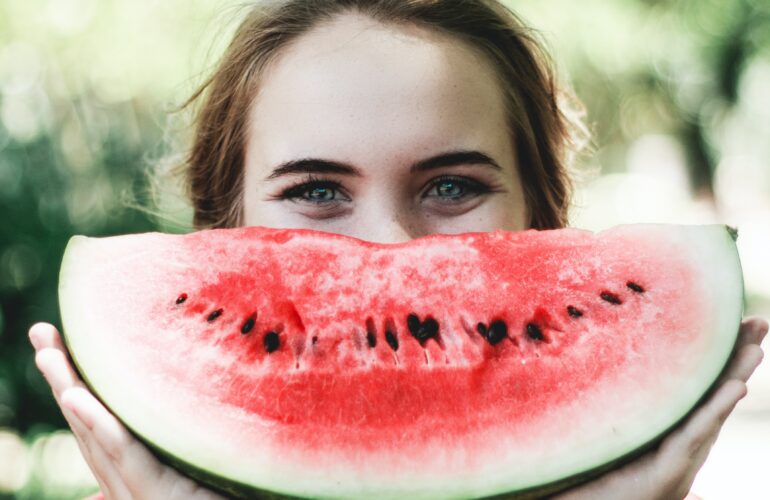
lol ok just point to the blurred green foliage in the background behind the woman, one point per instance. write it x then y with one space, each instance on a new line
85 84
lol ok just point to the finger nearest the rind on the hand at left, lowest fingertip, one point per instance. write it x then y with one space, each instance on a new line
135 463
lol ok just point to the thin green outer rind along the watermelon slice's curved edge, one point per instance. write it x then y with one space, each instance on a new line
237 489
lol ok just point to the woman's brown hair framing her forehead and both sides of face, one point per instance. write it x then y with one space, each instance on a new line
541 130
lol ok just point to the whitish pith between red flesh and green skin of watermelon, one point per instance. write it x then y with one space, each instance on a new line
713 253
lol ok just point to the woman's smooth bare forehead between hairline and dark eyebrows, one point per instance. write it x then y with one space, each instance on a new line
353 87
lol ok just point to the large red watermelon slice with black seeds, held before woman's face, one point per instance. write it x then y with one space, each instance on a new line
312 364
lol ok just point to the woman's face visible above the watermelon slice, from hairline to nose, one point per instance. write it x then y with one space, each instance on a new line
381 132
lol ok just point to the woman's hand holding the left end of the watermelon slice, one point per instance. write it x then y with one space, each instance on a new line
123 467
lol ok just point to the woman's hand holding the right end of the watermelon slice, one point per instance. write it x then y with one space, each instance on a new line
667 472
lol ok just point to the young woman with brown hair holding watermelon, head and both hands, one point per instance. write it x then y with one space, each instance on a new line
385 120
